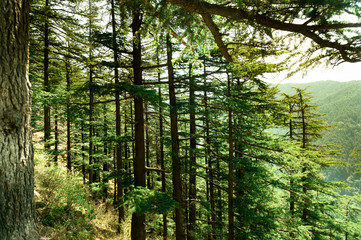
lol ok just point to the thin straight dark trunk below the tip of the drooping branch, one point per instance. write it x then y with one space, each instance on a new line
230 170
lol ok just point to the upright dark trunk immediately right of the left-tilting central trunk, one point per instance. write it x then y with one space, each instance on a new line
193 158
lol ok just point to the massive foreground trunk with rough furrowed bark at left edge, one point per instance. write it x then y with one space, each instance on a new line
17 207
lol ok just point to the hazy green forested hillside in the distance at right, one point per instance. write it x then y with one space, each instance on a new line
341 101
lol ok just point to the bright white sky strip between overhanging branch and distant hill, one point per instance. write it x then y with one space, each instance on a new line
341 73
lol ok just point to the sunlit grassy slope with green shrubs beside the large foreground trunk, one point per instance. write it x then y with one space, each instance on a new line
66 209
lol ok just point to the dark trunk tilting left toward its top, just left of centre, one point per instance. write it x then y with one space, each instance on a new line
176 165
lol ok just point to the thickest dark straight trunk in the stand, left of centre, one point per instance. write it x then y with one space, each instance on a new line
138 219
